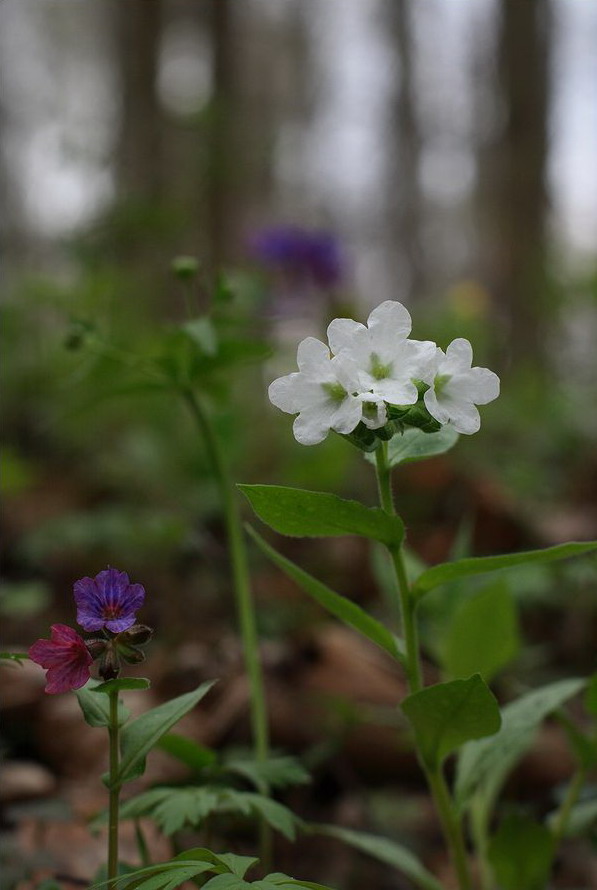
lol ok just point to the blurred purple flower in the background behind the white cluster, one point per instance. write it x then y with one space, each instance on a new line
311 255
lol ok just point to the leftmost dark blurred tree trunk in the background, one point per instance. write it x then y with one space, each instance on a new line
140 167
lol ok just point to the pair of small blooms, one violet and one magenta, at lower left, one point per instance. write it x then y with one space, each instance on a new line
109 603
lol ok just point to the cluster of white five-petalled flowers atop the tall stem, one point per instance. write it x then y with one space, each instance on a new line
376 367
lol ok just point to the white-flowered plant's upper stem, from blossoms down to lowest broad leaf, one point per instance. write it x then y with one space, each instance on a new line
404 606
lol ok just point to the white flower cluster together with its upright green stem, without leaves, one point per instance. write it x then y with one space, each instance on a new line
372 384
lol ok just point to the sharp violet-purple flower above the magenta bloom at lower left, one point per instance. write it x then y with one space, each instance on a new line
109 600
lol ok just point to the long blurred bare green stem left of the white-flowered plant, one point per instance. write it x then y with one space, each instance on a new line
240 569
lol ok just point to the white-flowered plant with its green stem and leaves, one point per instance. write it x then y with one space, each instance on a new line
400 400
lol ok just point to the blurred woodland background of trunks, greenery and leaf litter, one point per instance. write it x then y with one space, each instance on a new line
440 152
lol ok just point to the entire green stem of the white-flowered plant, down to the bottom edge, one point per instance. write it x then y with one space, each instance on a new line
407 612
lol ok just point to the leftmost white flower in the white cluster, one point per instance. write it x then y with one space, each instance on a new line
326 395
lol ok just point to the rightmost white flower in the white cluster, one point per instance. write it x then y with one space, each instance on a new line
457 387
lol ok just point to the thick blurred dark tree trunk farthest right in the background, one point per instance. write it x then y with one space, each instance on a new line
520 187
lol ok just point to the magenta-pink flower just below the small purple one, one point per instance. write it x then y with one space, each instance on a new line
65 657
